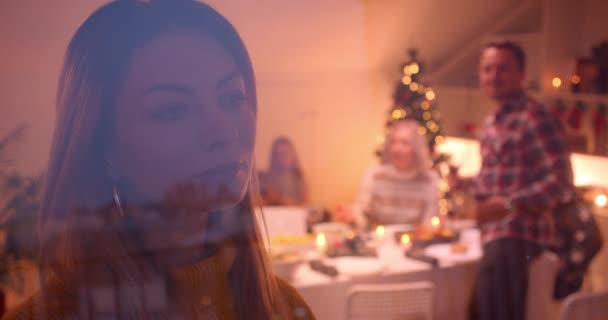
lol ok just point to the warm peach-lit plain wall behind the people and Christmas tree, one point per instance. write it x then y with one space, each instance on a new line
325 69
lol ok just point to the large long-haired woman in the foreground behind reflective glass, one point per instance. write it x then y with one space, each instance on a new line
147 212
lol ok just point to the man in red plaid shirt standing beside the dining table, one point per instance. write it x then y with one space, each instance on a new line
525 174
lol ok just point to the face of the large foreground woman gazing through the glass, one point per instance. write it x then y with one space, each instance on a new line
184 129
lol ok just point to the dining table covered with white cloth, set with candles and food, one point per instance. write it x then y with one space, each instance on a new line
453 282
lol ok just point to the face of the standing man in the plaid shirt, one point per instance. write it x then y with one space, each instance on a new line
500 75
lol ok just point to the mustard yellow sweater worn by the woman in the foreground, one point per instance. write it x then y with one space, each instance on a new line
205 284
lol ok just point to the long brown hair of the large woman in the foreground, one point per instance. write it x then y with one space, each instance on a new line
92 76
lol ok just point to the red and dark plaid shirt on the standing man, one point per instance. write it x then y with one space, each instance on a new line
524 159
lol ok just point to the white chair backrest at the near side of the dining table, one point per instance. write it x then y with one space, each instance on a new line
412 300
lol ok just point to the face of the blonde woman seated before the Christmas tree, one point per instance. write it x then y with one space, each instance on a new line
401 153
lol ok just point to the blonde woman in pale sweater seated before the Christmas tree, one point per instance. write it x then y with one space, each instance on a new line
404 187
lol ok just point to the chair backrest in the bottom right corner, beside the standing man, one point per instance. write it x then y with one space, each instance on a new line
586 305
